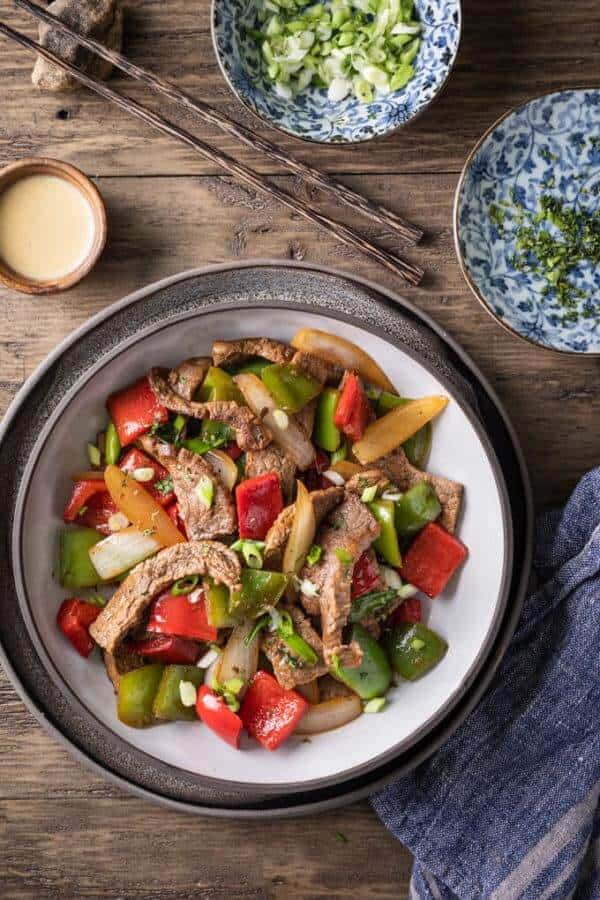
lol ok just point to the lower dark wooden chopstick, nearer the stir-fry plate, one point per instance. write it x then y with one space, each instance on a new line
409 272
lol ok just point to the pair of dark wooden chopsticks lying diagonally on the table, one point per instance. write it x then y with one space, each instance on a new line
343 233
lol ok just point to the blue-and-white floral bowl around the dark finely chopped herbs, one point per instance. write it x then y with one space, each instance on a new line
549 146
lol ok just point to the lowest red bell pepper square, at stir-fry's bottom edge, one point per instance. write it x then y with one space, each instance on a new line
270 713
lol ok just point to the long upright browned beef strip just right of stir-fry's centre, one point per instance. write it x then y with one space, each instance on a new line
350 528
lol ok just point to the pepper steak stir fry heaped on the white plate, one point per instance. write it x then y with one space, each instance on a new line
265 523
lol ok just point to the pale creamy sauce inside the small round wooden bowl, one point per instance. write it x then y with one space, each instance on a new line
46 227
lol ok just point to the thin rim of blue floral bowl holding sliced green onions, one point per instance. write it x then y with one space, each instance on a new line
327 143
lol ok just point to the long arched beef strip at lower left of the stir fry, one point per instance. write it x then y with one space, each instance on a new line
126 607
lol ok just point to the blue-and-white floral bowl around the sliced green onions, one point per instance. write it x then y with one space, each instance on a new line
310 115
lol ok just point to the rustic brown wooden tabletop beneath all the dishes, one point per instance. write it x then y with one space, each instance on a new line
63 831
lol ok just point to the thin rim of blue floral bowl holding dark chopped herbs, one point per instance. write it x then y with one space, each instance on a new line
477 293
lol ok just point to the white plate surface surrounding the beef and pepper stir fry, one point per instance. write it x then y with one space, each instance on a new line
465 615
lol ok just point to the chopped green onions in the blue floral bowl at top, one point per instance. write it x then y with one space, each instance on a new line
364 48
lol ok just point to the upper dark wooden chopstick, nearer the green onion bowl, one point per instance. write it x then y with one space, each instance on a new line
411 233
